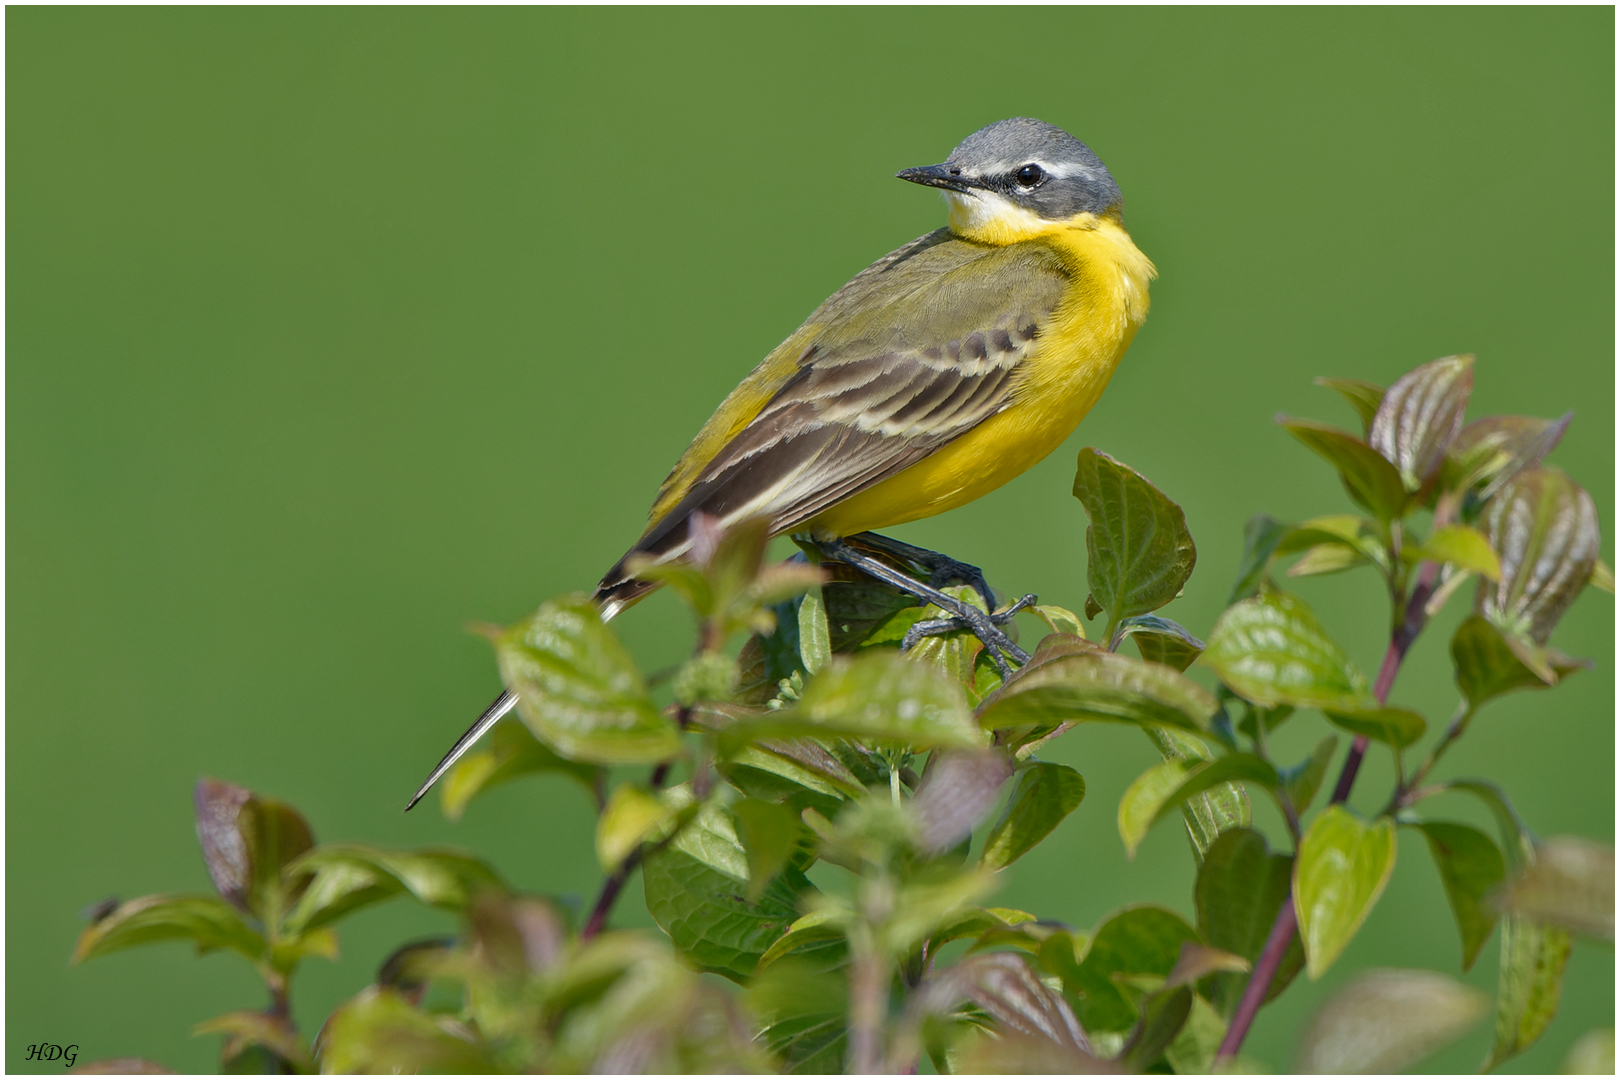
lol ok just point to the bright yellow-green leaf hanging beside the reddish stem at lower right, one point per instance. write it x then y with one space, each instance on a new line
1341 874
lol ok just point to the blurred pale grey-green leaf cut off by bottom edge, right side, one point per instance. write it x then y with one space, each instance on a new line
1384 1021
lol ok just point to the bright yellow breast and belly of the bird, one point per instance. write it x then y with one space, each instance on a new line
1080 349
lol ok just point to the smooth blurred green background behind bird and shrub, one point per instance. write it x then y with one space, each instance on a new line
333 330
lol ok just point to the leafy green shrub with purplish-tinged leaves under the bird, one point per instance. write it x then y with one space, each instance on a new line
822 741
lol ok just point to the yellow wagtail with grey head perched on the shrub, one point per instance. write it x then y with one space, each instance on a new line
937 375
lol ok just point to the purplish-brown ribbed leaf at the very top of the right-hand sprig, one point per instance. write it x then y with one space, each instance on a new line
1420 417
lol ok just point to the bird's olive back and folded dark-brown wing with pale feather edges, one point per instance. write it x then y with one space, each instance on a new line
908 357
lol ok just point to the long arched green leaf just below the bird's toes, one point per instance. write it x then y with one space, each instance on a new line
1099 687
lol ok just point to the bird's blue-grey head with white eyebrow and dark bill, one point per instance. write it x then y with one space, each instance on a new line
1034 166
